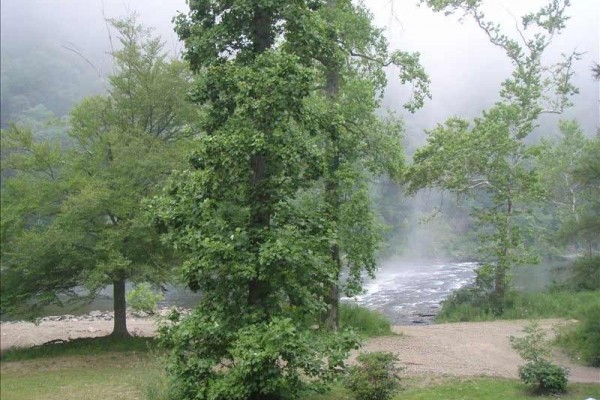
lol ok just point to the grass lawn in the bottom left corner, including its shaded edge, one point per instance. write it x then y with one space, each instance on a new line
96 368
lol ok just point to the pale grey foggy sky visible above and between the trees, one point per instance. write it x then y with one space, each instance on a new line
465 69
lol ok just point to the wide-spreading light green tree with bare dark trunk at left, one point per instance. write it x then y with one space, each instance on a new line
75 208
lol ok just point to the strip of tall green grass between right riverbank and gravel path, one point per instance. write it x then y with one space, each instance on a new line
553 304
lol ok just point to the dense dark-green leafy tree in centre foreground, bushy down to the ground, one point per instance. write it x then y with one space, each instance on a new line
255 242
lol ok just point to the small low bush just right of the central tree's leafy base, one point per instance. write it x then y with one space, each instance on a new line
375 377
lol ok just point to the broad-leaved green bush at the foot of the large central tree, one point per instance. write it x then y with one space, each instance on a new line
275 359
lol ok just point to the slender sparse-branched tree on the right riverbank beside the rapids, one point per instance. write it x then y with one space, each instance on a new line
489 158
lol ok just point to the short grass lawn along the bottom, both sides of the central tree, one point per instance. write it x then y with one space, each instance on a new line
129 375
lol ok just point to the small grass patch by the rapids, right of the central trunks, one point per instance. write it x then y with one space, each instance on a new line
364 321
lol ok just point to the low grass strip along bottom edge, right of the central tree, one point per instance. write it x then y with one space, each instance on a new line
469 389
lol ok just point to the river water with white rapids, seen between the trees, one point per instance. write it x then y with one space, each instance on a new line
405 292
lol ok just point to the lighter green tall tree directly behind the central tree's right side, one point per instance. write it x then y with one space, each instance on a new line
351 54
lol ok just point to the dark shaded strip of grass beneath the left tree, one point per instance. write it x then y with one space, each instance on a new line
80 347
